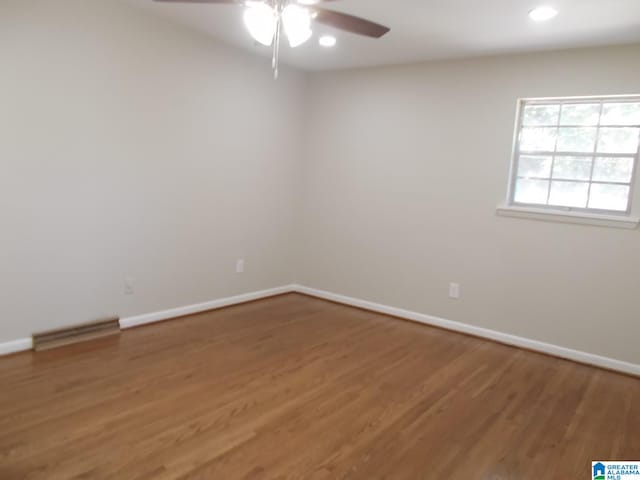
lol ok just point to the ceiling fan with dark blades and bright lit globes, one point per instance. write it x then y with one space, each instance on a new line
266 20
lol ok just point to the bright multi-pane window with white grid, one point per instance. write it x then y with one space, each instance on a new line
576 154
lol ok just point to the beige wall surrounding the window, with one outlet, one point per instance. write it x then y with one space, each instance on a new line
404 169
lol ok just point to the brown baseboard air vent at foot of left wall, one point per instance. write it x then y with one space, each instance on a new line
75 334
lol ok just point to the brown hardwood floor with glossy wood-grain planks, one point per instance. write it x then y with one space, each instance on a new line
296 387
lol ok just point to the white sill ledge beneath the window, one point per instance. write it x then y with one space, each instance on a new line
582 218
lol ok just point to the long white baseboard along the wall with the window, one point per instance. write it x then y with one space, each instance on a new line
548 348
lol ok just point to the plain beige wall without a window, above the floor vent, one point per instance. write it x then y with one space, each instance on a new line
132 147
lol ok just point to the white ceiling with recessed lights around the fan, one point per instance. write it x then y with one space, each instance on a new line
430 29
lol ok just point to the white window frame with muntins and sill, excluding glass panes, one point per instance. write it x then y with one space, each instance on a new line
571 214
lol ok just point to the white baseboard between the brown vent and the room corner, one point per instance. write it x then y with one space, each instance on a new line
136 321
